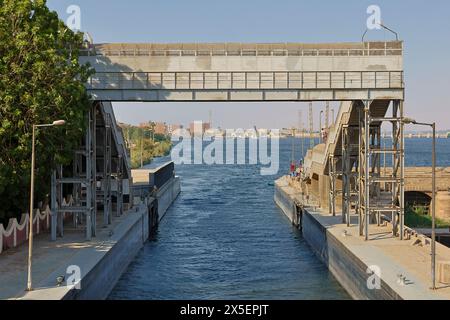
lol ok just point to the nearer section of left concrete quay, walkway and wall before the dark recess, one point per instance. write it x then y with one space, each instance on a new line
51 259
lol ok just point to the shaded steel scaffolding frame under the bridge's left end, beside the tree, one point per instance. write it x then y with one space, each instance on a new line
96 152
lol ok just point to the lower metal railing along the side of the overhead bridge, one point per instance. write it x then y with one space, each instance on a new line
246 80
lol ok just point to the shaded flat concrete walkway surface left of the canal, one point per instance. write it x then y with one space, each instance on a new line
51 259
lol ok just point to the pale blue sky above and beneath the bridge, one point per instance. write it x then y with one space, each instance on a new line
423 25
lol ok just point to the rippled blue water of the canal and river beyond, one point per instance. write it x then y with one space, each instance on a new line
224 238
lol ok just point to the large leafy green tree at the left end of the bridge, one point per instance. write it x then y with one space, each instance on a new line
40 81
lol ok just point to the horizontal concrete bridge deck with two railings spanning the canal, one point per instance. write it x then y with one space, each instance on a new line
246 72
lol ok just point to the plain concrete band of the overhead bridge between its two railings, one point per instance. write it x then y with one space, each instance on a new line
244 63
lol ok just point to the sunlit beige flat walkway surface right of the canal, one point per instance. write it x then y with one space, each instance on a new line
393 256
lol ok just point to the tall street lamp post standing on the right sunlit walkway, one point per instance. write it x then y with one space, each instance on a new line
433 203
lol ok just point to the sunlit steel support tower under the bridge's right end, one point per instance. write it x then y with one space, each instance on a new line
371 202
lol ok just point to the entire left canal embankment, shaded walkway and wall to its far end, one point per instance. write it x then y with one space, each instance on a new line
100 261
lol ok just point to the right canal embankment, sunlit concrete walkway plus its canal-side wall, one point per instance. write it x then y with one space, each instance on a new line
351 259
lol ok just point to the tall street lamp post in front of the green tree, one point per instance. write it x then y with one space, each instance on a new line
30 231
